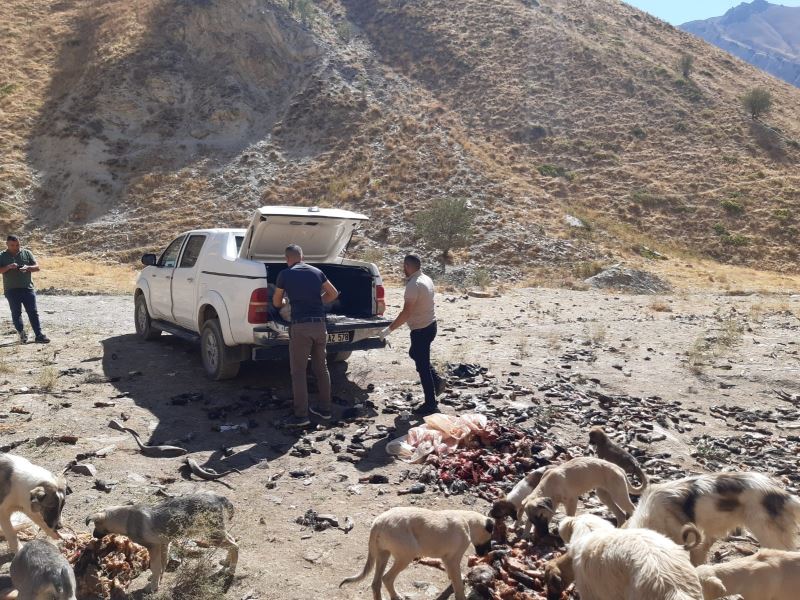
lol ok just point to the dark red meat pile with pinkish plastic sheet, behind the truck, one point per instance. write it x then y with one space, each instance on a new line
472 452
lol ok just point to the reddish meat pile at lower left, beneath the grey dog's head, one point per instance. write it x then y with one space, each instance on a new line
101 566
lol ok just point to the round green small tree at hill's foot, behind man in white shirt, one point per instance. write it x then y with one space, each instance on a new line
446 225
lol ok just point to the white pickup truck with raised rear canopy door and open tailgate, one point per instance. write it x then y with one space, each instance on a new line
214 286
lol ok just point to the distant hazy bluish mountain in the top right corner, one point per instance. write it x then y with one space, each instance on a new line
765 35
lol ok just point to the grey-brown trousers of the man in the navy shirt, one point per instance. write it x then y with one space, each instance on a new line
309 339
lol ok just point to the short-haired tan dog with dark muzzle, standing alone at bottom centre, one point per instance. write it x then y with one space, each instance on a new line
407 533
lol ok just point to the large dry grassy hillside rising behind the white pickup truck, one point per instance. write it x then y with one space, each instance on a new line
123 124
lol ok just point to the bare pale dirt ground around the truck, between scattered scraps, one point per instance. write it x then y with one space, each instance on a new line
699 349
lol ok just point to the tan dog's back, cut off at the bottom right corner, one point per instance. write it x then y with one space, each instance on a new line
766 575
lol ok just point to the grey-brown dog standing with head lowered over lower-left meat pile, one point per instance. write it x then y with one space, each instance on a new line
155 527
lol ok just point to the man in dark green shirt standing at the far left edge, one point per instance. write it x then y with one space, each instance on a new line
16 265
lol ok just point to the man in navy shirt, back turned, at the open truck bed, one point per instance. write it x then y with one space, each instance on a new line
308 290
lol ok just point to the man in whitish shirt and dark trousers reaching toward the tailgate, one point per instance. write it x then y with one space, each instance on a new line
419 313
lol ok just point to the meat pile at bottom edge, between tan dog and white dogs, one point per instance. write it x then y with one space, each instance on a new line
513 572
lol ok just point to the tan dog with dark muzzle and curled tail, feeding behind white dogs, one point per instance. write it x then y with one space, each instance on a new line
565 483
